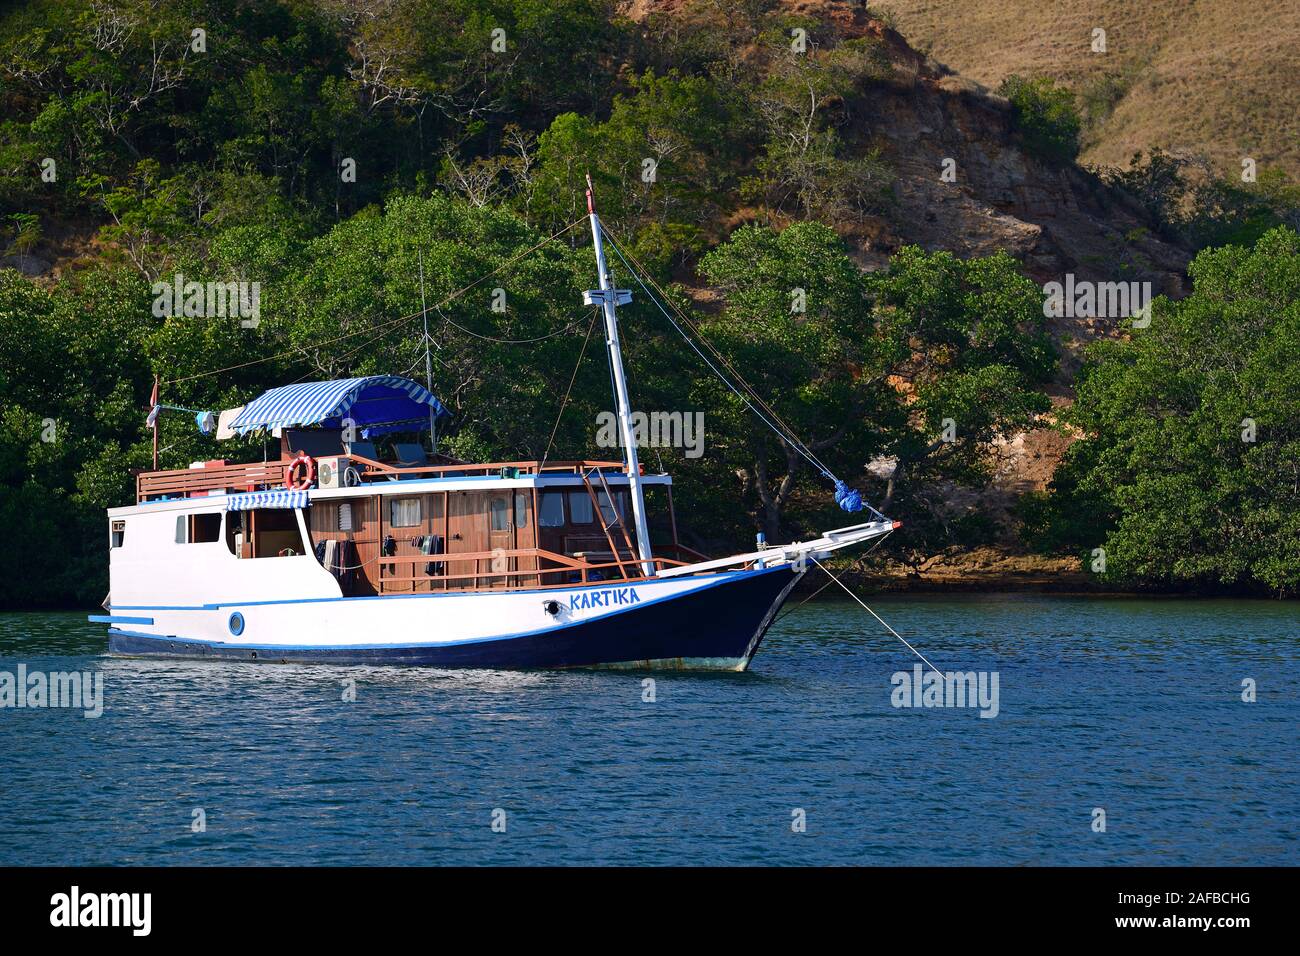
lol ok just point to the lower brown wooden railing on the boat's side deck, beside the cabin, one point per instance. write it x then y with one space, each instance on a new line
613 572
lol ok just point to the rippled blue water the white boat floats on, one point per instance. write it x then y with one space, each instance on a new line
1129 706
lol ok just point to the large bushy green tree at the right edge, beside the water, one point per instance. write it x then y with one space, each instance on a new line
1189 470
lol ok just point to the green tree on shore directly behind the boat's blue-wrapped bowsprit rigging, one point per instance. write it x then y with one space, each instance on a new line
798 322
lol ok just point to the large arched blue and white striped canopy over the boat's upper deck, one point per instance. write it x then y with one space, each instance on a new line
378 403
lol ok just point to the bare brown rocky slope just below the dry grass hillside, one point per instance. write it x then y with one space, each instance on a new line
1055 219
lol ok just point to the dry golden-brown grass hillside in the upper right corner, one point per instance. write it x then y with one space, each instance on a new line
1202 77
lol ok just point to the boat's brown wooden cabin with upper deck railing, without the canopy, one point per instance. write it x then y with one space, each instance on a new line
439 527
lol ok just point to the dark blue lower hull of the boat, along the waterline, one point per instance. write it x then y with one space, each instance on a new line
717 628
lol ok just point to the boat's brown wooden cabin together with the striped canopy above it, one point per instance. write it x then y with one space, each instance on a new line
401 521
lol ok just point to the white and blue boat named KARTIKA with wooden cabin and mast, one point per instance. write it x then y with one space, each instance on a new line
358 548
